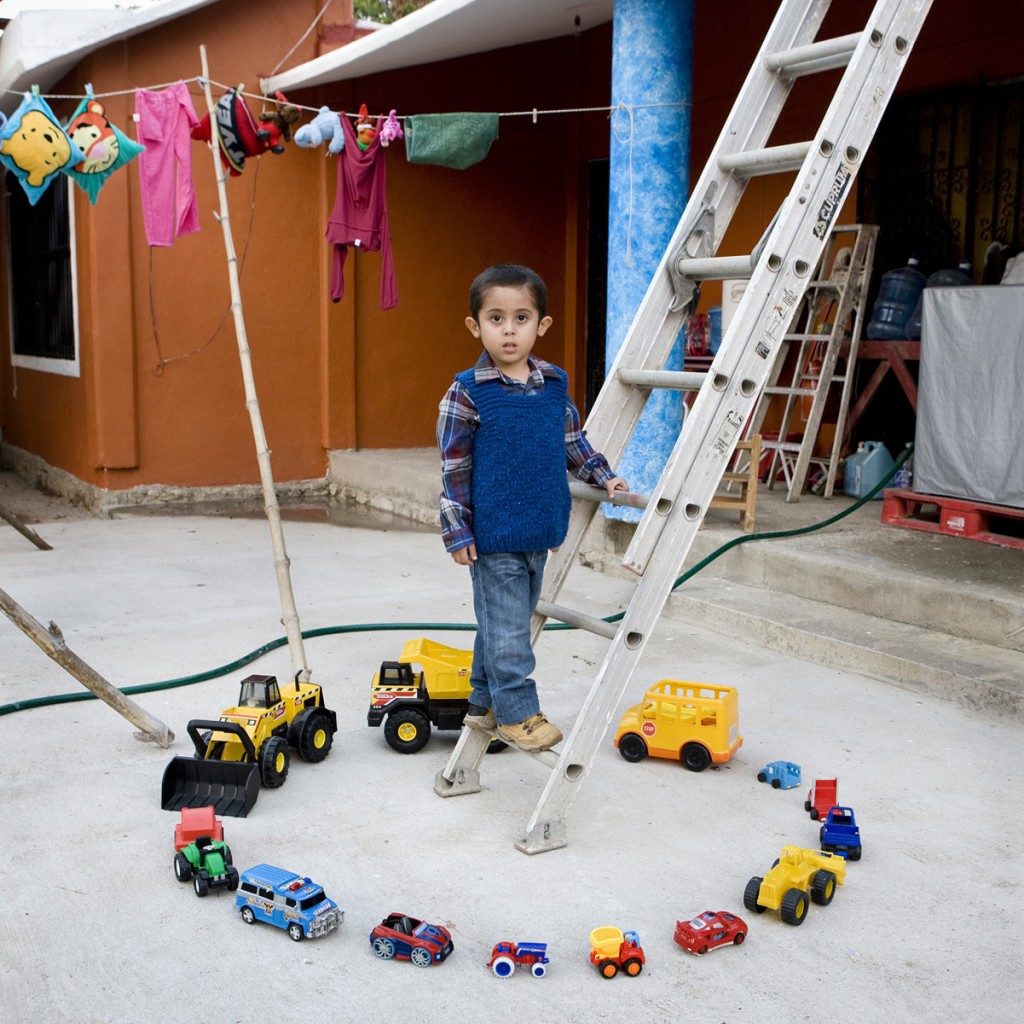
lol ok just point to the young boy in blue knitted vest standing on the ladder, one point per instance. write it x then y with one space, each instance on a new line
507 432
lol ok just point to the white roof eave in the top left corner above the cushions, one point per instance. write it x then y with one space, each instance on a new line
39 48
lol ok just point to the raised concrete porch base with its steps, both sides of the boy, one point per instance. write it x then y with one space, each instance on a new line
938 615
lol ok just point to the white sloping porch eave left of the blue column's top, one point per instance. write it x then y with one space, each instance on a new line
447 29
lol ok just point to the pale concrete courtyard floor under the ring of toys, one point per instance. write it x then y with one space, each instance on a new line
98 929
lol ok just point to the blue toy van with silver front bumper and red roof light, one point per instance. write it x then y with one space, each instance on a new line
287 901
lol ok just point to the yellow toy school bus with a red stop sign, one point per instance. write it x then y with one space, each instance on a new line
698 723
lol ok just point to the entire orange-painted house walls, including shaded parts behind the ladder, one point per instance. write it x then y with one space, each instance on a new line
334 376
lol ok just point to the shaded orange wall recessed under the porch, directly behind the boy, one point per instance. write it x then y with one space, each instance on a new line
521 204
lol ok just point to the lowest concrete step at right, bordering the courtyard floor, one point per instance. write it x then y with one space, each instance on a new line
977 676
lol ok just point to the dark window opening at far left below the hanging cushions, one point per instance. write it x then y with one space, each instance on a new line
39 243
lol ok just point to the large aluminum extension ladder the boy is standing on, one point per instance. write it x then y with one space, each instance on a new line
780 273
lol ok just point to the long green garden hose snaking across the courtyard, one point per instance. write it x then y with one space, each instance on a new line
169 685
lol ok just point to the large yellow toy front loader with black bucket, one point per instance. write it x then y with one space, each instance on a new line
249 745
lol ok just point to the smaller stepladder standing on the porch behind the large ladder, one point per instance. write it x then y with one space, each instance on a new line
825 338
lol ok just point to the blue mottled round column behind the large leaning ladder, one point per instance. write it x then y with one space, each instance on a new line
652 64
